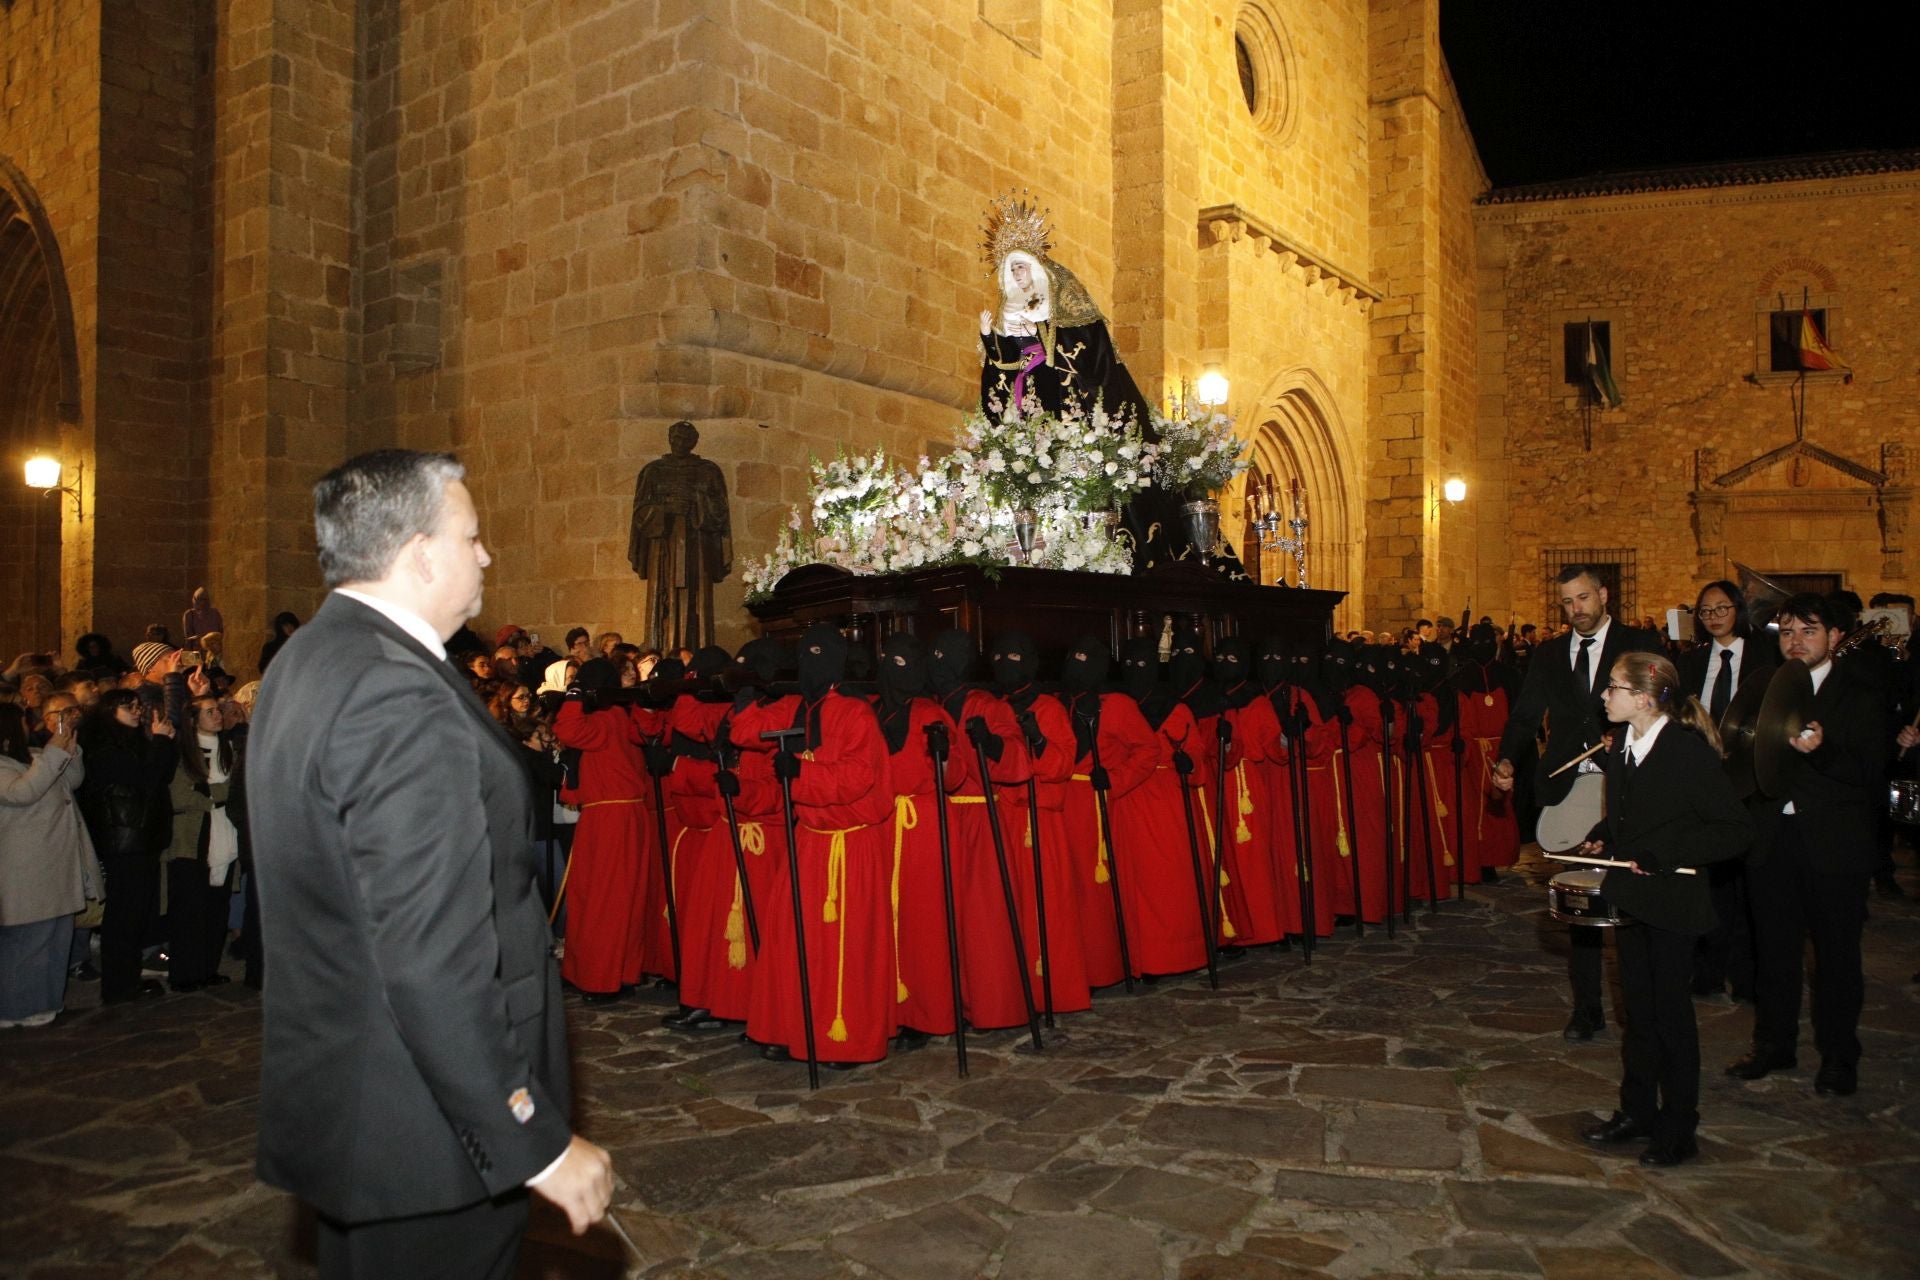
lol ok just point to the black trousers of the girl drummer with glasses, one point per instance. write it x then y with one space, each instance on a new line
1662 1045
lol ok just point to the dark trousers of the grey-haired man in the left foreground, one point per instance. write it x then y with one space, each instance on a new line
479 1243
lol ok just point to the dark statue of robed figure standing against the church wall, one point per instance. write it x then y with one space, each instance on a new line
683 540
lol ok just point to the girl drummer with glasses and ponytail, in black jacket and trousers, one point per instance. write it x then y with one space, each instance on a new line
1669 807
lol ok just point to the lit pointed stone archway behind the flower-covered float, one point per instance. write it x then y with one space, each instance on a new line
1299 437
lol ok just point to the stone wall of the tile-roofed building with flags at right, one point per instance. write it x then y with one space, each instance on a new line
1687 281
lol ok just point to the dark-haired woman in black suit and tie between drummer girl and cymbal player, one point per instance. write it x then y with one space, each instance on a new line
1727 659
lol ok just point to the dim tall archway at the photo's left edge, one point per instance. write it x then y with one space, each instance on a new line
39 396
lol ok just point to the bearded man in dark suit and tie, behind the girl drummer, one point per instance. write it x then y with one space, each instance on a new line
1562 688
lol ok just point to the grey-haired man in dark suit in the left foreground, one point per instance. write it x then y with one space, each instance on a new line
414 1076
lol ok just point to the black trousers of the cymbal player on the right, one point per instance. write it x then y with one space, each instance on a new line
1794 901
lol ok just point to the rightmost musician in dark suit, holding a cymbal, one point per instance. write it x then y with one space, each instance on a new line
1815 855
